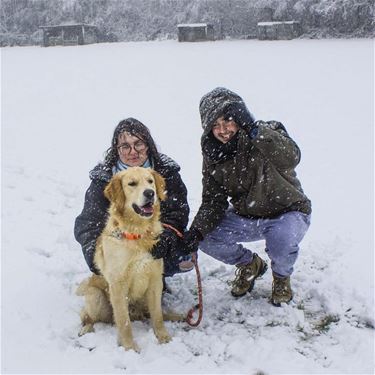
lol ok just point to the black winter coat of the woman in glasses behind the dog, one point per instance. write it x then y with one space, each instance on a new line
91 222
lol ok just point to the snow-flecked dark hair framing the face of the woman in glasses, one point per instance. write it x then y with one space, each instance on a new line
136 129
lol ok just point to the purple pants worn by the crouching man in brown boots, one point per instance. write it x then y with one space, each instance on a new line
282 235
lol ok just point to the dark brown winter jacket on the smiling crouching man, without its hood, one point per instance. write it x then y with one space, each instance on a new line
260 179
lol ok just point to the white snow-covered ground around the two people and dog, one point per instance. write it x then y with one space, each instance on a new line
59 108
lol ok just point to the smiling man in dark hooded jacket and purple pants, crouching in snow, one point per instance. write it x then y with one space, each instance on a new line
252 163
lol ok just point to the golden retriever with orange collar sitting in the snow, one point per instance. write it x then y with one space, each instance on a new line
131 278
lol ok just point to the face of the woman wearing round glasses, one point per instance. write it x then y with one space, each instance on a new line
131 150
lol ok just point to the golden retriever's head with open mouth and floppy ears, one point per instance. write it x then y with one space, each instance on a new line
137 189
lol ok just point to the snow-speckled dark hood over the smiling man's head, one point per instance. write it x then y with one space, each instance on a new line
212 106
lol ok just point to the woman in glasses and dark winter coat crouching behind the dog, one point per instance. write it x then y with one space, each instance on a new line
133 146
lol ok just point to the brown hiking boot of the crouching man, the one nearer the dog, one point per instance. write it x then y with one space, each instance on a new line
246 276
